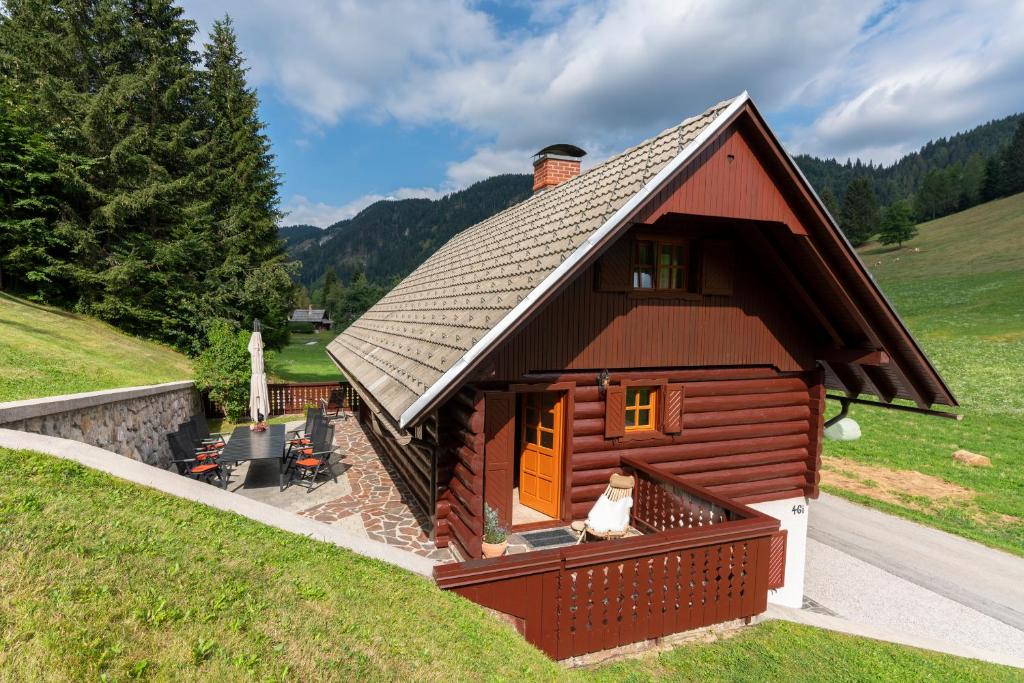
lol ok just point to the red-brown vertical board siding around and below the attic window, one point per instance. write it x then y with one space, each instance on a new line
588 329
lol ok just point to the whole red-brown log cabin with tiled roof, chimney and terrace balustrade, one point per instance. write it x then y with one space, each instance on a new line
677 313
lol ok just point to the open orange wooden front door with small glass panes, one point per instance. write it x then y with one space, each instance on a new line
541 451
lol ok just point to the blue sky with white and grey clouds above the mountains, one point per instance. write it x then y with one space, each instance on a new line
366 101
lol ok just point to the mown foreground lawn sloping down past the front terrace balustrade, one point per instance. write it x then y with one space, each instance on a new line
105 580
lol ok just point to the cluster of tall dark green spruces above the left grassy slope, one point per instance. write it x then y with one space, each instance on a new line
137 182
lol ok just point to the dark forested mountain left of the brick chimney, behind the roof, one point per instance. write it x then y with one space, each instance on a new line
389 239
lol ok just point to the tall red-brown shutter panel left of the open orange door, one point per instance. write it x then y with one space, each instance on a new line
499 453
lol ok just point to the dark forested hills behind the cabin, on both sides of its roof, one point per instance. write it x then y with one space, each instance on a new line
387 241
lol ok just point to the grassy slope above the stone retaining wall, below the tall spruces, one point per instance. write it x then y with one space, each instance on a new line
47 352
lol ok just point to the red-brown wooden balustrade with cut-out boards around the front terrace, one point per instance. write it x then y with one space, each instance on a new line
705 562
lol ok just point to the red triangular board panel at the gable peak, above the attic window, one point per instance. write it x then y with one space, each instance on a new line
727 181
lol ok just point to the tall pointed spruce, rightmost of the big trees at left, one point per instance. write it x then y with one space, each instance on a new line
241 185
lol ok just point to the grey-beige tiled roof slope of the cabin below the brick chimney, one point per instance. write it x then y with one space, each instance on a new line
419 331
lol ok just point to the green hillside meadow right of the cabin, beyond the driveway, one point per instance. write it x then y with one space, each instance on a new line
960 287
